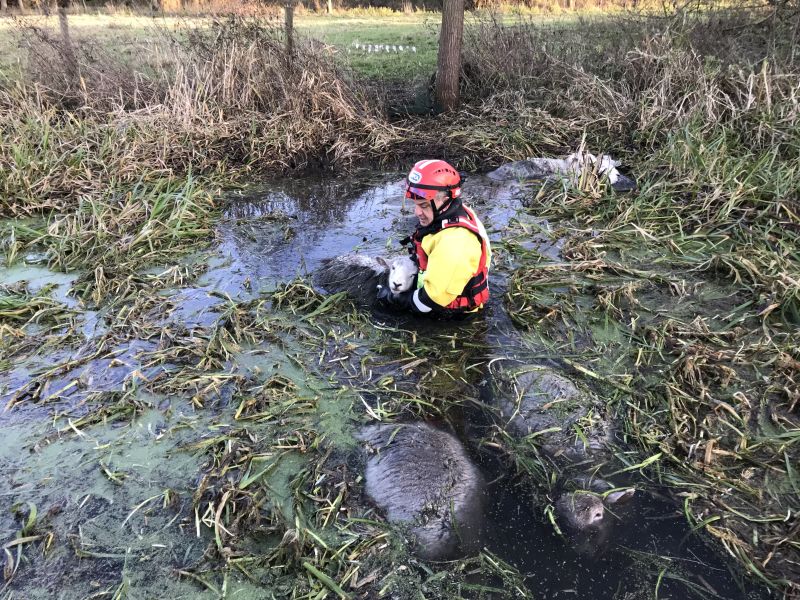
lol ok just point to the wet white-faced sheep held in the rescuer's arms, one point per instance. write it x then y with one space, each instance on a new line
360 275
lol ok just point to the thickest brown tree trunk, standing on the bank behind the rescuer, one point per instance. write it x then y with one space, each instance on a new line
449 65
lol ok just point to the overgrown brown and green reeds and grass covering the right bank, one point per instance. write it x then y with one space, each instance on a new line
680 300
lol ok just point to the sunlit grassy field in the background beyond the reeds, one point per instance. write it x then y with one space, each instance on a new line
349 32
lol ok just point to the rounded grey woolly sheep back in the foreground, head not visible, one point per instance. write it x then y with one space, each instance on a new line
421 476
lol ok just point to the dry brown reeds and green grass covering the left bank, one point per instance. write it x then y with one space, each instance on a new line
113 155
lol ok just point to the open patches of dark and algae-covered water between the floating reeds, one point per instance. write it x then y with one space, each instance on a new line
117 491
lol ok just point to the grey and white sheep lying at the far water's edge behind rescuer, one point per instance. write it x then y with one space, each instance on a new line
570 168
